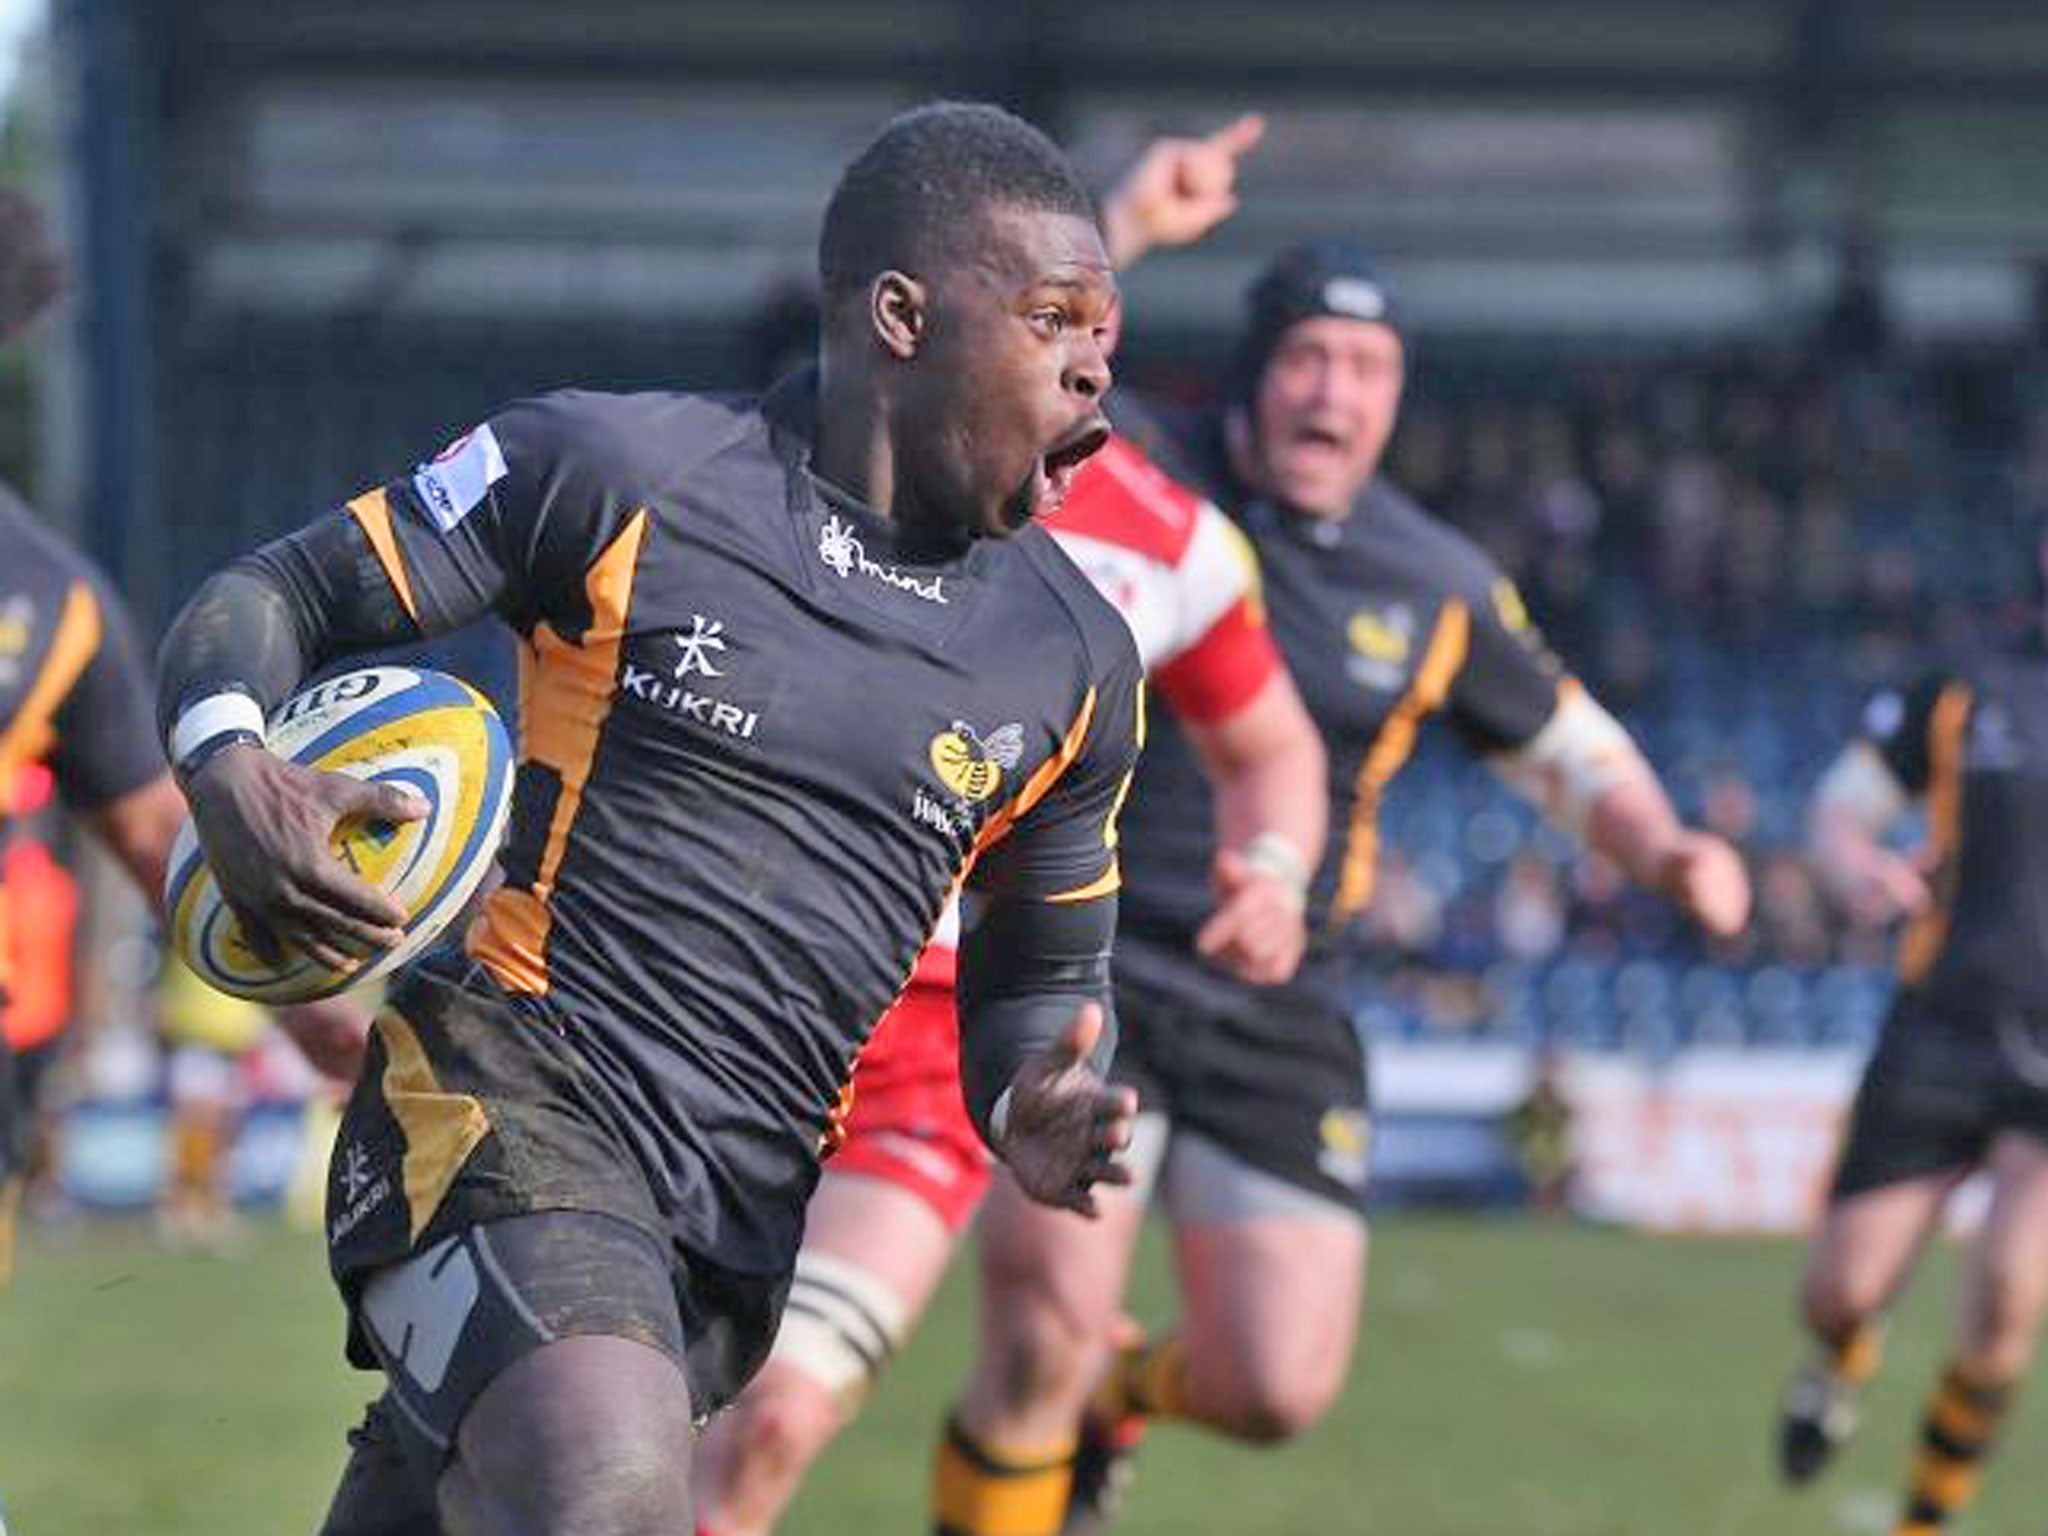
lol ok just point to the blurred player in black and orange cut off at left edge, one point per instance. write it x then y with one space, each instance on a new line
73 689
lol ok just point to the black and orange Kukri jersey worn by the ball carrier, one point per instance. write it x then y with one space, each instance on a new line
761 742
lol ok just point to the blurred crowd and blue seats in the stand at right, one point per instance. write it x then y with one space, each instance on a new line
1738 552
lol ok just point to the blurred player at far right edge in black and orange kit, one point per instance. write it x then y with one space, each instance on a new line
1959 1082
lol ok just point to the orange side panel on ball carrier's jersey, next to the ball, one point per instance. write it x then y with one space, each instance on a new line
566 695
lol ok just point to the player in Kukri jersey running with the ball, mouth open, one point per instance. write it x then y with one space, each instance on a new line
796 673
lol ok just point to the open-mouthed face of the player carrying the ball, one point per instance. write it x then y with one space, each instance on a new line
1009 384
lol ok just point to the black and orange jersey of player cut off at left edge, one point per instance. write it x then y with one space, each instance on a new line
73 689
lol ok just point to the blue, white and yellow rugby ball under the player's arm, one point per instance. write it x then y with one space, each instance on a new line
407 726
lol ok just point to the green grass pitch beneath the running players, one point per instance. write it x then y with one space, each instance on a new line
1541 1381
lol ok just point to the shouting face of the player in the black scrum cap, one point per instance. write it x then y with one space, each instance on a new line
1324 411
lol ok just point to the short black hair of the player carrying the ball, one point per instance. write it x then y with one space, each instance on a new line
916 198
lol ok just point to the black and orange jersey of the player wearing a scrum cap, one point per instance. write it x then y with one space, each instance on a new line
1385 620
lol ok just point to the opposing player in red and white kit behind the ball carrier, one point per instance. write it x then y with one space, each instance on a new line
898 1195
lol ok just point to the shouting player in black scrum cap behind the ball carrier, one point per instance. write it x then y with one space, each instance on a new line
1385 617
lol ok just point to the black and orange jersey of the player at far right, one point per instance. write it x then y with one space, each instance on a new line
1973 746
